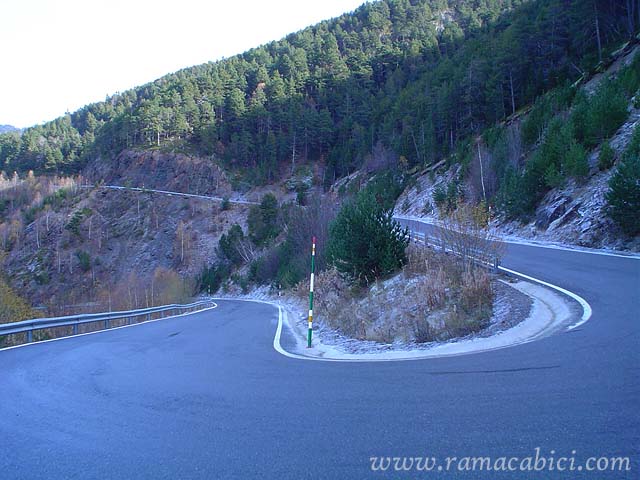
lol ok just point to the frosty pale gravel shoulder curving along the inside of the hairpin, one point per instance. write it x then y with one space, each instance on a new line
549 313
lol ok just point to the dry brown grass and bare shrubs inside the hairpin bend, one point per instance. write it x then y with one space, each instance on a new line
435 296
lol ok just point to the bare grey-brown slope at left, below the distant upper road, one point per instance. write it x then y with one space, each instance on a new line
125 236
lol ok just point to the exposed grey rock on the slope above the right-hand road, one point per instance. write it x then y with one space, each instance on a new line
574 214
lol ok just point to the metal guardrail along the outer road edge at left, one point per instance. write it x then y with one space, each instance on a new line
29 326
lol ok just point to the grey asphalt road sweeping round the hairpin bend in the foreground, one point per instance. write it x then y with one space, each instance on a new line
206 396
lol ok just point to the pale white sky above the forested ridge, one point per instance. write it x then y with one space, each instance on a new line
58 55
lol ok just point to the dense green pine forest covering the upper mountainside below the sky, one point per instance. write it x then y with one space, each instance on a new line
412 76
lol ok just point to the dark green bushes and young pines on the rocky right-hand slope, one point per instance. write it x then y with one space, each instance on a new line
563 126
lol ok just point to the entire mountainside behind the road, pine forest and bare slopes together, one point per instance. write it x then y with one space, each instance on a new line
420 94
